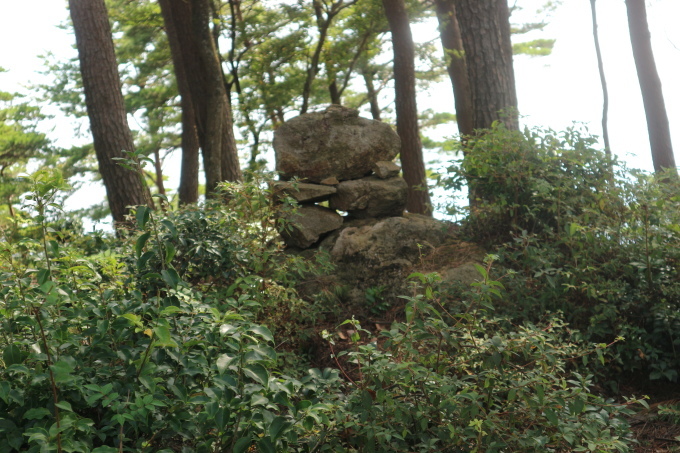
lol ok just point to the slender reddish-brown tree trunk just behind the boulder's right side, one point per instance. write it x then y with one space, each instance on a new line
407 112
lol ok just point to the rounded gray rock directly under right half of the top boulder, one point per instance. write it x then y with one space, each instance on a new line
371 197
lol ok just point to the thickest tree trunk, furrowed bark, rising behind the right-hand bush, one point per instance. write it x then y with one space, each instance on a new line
485 30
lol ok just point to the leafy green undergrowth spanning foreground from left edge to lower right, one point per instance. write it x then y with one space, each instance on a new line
170 339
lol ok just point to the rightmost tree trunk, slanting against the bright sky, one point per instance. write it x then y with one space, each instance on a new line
650 86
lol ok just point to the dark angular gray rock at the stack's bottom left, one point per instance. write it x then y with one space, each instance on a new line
305 227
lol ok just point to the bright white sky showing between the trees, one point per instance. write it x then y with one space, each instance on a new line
553 91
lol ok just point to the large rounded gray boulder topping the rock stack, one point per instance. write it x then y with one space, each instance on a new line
333 143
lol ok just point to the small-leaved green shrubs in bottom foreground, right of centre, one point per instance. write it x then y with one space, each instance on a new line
459 381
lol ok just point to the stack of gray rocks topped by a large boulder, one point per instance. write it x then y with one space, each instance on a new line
336 157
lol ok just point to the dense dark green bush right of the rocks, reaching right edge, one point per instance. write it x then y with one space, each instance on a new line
583 236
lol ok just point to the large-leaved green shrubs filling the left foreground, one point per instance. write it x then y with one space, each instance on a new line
101 353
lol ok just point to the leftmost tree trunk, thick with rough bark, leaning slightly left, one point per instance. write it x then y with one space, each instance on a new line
106 108
